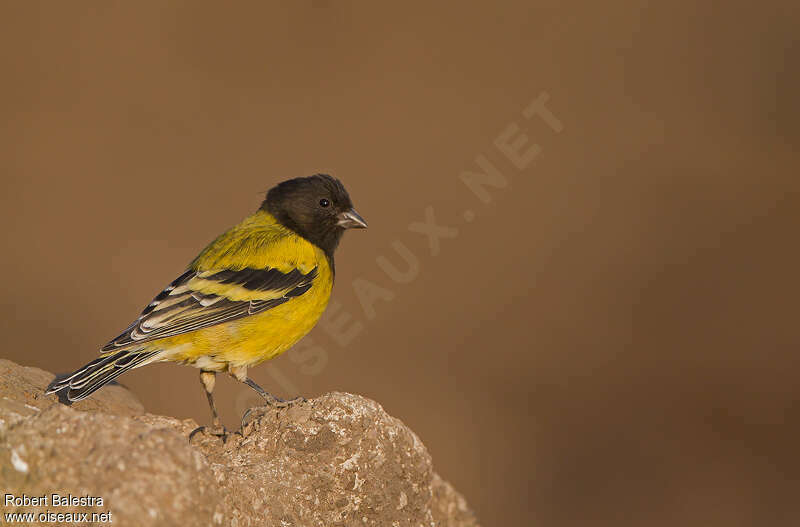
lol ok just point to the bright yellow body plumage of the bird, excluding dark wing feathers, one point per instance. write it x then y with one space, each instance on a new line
258 242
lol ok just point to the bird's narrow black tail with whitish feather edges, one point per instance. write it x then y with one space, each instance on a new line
86 380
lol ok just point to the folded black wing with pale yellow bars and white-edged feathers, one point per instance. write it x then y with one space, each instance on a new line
199 299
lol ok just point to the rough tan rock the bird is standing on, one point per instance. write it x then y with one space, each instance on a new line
338 460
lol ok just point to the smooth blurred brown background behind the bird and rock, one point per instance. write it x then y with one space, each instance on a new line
611 341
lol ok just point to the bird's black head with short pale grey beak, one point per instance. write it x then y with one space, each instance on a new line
317 208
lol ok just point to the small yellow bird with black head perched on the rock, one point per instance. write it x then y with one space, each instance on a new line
247 297
